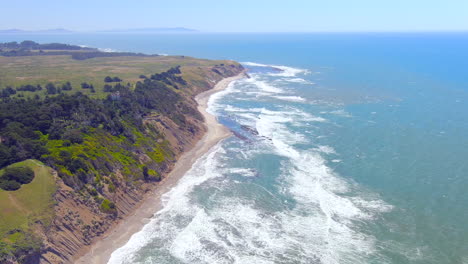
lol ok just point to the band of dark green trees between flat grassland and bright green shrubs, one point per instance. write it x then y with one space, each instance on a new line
26 125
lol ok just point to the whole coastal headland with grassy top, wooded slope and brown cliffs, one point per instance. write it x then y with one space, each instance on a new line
109 127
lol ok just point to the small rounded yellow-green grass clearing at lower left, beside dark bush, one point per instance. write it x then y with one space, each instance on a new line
31 203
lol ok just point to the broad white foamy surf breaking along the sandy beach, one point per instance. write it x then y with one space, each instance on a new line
211 218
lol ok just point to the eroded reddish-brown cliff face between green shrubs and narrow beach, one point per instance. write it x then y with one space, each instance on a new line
81 219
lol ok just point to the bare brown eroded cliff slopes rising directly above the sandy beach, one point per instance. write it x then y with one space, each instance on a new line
79 221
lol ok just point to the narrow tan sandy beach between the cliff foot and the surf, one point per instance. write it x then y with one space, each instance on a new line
100 251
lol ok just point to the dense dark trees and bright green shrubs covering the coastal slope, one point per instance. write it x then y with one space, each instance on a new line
86 139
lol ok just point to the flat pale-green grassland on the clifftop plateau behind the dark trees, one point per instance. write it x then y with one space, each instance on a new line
16 71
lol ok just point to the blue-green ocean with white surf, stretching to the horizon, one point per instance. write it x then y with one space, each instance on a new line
348 148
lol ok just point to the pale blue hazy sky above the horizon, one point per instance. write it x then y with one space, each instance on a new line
238 15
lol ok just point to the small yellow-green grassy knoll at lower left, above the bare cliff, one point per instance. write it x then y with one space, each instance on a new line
21 209
